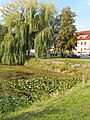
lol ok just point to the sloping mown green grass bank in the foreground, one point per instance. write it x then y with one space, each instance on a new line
74 104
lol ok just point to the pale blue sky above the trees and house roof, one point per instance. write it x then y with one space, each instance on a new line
81 7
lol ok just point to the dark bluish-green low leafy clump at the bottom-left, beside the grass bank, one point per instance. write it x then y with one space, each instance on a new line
11 103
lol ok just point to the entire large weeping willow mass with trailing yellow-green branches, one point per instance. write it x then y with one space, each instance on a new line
28 25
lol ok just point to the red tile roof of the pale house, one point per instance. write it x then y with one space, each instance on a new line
83 35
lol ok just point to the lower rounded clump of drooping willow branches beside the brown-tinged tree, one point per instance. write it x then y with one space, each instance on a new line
43 42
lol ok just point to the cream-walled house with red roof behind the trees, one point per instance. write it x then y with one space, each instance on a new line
83 41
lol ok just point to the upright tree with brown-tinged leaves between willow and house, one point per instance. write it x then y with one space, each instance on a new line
66 39
